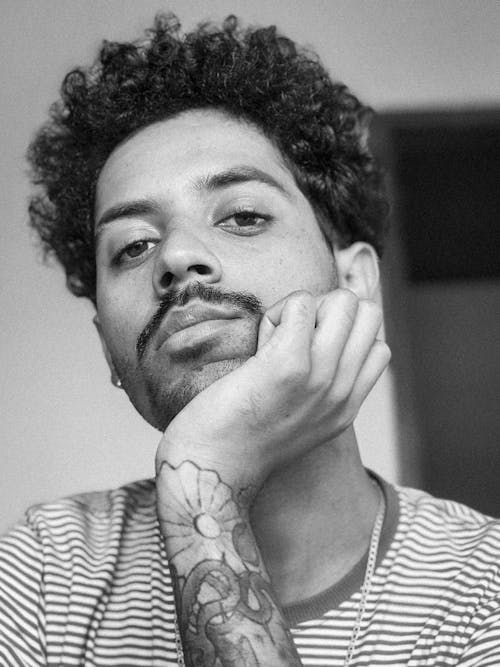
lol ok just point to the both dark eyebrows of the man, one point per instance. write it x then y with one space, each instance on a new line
209 183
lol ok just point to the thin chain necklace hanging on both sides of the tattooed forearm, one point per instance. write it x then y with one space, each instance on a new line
365 589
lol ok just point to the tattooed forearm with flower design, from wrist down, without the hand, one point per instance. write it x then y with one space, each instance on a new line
225 604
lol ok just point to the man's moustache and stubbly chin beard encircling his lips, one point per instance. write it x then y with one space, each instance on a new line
172 381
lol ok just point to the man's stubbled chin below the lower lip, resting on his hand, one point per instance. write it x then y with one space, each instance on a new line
167 400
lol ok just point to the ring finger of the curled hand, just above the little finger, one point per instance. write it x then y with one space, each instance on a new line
363 334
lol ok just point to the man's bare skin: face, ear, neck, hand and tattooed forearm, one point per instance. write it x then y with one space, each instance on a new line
257 408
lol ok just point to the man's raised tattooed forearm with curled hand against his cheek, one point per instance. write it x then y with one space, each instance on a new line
316 361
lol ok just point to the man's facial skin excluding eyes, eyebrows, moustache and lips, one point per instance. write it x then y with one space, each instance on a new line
193 237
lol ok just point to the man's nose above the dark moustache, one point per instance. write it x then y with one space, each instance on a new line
184 258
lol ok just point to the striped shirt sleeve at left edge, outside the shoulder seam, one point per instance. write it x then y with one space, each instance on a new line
21 600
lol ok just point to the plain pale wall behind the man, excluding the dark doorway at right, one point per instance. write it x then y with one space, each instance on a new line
64 428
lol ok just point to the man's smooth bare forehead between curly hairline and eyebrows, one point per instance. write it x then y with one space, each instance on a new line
171 155
